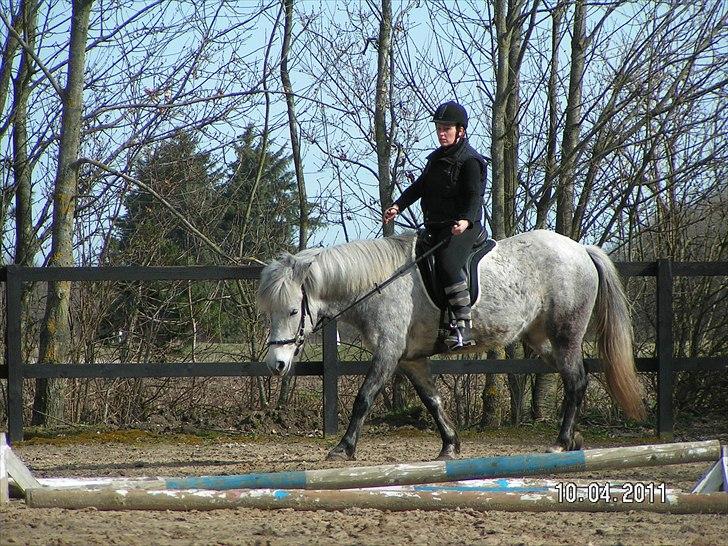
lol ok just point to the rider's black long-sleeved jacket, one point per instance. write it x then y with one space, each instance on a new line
451 186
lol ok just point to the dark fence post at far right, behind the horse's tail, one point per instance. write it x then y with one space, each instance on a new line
665 350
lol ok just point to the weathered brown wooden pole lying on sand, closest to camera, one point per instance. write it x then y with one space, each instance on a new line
142 499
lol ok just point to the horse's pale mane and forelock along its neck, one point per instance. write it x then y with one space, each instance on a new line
338 271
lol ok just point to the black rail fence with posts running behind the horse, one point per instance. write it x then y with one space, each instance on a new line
14 370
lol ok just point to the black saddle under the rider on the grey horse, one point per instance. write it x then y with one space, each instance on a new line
434 287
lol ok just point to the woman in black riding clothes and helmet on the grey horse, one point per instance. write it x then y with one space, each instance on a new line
451 189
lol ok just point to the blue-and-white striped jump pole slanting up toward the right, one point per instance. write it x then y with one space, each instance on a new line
537 464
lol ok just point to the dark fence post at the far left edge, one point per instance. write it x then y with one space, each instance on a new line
13 352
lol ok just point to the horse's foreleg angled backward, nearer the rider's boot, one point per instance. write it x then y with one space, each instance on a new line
418 372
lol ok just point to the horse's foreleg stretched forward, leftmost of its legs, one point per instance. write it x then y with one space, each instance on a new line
382 369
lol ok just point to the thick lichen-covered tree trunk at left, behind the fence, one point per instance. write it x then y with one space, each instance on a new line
48 406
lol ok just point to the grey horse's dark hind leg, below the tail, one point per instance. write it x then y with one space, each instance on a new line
569 361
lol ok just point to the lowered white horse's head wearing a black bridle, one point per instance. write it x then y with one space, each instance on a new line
282 296
